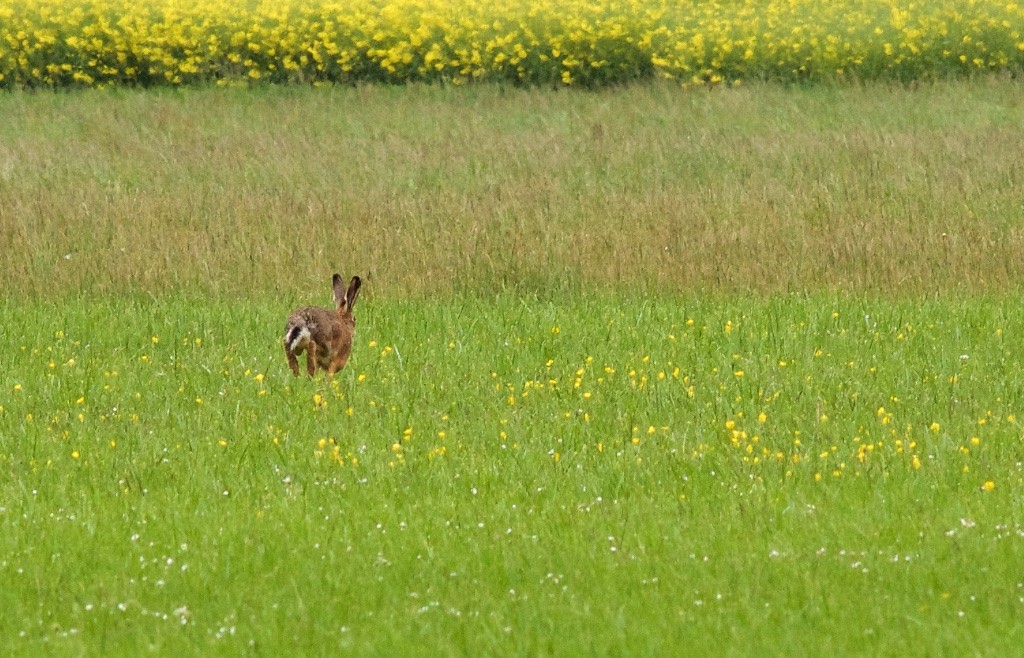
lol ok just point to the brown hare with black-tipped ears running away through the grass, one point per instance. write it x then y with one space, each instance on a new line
326 336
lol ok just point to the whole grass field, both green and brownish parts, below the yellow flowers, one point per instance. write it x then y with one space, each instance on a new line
637 372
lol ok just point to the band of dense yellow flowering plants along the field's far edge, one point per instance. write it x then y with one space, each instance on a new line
62 43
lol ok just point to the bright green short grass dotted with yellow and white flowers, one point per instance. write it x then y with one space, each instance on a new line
516 476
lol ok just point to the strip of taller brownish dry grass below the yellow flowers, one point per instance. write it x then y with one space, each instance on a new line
432 190
